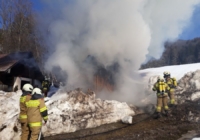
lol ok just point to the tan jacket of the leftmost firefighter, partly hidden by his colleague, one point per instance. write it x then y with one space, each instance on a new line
25 97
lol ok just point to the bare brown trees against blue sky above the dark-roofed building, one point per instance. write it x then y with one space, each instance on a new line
18 24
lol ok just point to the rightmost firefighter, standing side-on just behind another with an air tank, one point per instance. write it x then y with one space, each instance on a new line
172 84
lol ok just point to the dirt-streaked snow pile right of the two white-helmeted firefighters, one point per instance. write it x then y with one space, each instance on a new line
80 111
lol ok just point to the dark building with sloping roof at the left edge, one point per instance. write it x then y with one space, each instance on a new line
19 68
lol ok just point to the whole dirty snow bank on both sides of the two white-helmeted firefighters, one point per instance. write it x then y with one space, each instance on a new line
68 112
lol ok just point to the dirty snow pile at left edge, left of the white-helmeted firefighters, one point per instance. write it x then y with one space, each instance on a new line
9 112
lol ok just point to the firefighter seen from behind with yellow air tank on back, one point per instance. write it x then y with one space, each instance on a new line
161 88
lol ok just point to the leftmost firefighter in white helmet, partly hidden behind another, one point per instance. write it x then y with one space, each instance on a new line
25 97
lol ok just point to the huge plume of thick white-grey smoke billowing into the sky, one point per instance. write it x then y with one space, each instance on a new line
122 31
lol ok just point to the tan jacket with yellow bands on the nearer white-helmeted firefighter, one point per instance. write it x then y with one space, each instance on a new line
36 110
